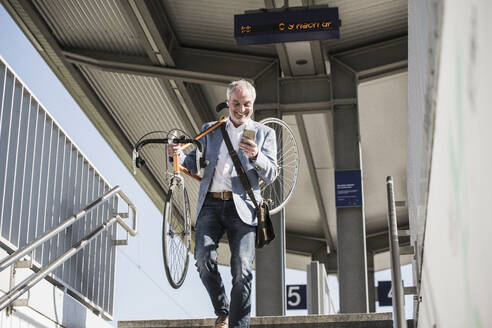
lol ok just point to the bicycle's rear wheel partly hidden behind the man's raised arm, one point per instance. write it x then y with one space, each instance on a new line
281 190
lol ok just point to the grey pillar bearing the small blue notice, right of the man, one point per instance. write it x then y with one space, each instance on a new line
351 246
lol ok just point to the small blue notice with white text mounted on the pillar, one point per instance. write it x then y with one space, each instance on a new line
348 188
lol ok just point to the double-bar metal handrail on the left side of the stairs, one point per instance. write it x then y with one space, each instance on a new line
27 284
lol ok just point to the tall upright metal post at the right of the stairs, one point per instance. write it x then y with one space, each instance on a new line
398 304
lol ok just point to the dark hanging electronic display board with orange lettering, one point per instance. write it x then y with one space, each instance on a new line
287 26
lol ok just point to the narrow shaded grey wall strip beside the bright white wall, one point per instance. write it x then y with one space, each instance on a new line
424 37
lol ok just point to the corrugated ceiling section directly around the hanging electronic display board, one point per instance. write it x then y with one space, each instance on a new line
210 24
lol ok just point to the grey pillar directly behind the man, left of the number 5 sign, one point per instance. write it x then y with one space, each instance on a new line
270 260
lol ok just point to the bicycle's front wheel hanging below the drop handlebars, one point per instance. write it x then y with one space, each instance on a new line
176 234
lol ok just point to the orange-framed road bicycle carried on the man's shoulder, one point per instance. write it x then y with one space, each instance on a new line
177 228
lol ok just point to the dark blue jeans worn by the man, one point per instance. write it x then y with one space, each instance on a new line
216 217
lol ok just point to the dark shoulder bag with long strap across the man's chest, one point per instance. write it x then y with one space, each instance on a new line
264 230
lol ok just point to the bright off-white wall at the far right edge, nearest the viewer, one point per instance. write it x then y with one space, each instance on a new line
457 265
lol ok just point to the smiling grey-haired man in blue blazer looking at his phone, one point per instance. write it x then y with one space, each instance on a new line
223 205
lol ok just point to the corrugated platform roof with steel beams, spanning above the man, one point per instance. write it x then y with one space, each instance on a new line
139 66
